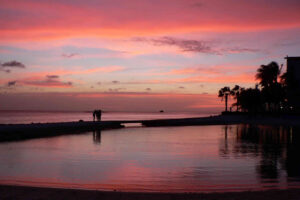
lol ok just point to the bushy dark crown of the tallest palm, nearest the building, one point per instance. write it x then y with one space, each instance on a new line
268 74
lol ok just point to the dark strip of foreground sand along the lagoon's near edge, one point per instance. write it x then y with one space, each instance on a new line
34 193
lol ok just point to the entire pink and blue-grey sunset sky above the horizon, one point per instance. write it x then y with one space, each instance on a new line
138 55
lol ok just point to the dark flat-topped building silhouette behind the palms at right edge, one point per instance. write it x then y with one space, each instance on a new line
293 82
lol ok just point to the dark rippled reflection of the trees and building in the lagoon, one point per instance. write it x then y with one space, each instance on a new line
275 149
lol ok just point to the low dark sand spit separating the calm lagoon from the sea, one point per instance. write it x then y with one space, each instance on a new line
14 132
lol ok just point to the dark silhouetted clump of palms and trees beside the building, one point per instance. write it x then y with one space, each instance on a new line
270 95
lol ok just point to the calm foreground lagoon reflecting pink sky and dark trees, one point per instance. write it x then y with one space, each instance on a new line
167 159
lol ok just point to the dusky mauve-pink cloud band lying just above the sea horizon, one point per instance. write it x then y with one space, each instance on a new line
122 101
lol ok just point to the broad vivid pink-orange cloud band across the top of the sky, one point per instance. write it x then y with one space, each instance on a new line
137 18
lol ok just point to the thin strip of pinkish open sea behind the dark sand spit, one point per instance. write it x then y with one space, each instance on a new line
21 117
